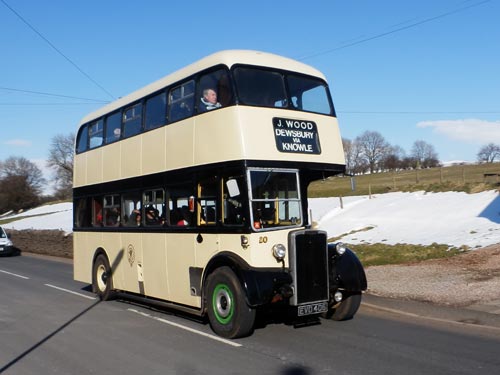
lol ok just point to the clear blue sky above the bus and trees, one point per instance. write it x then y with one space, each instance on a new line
421 70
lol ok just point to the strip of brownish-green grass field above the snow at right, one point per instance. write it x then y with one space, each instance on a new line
467 178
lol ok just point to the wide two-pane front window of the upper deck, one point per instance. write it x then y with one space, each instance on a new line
275 89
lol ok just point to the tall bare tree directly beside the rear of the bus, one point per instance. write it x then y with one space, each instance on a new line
61 161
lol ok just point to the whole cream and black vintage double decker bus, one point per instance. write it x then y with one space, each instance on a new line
192 191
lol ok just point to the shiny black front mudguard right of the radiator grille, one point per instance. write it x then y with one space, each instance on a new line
346 271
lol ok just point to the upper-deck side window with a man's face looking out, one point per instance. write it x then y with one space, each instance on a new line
214 91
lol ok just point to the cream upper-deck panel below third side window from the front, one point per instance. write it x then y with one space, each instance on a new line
155 151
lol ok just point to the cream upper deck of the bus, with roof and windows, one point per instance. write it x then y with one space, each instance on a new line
270 108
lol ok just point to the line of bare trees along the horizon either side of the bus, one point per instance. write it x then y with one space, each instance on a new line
22 185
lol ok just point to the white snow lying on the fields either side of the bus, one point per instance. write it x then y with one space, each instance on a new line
449 218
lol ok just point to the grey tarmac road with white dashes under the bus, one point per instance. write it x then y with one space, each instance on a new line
50 324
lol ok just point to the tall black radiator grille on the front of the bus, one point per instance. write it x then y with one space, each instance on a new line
309 266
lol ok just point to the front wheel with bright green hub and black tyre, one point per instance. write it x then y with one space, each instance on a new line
228 313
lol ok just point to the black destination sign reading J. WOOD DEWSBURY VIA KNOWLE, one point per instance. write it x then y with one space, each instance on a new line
296 136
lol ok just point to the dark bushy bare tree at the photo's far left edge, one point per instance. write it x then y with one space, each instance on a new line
21 183
